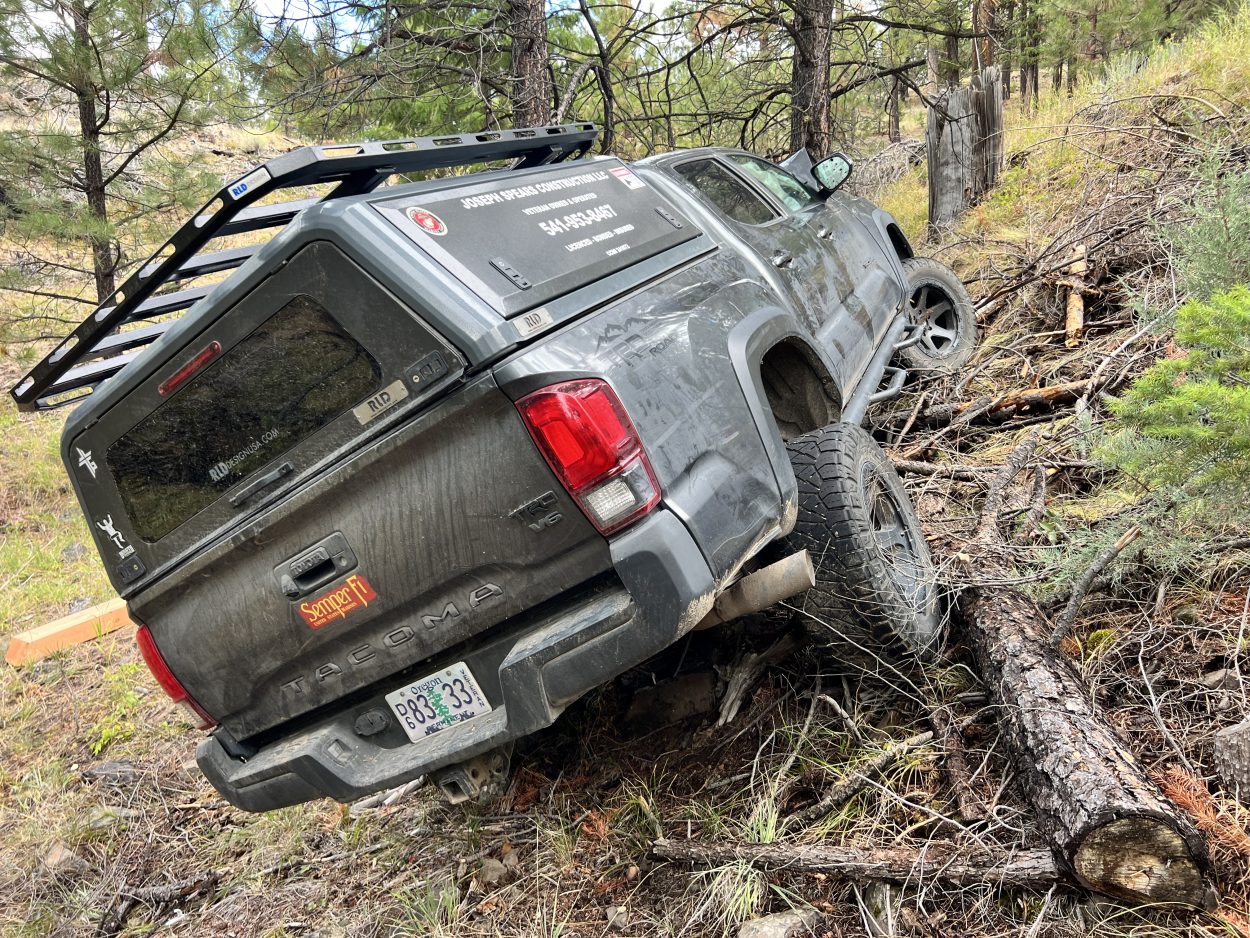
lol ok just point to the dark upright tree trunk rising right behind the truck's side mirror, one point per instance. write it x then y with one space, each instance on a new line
809 78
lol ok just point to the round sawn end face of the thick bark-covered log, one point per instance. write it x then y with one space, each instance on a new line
1142 859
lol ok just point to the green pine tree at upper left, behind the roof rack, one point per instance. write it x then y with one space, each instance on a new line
108 86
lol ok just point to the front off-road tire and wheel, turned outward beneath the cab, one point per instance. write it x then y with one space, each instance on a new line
939 303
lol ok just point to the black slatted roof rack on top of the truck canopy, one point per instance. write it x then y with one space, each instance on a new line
357 168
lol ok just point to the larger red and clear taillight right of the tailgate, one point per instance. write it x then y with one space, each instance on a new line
592 446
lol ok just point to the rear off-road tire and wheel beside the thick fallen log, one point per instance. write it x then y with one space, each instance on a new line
876 597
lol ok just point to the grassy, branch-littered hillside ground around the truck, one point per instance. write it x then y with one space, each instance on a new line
1129 169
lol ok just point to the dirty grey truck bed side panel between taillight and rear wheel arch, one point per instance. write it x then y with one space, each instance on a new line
667 352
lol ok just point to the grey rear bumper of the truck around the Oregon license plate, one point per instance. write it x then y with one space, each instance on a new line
666 590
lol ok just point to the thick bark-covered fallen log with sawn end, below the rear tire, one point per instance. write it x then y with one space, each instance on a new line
1108 825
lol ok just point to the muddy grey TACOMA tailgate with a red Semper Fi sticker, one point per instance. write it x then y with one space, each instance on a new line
439 545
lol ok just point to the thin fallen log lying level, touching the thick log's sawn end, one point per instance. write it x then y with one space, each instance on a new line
934 862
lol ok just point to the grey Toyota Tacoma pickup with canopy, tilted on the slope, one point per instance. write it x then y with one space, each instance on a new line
393 472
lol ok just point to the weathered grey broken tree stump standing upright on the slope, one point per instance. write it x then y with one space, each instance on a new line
966 147
